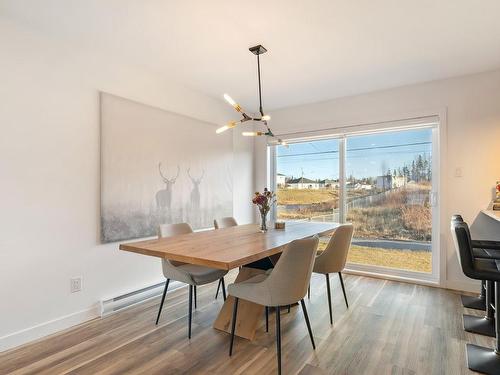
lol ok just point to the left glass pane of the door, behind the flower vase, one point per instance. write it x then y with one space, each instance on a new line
308 181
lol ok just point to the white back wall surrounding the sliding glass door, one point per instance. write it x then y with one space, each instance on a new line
472 105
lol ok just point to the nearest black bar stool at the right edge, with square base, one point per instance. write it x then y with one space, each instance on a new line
480 359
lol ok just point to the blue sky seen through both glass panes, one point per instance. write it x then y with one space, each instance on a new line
367 155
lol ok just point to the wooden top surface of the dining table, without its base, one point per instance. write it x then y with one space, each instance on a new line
228 248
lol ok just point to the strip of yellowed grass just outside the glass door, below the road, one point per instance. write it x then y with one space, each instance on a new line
419 261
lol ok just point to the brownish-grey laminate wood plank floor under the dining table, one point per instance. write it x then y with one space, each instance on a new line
389 328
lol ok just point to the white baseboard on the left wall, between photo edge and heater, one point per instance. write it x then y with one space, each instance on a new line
38 331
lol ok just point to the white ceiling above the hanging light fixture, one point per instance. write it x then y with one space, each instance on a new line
318 49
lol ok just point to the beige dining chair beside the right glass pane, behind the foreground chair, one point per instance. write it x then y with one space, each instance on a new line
333 259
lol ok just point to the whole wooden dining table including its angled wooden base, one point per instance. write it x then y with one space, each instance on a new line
227 249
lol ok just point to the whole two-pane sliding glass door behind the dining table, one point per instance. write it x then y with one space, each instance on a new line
381 182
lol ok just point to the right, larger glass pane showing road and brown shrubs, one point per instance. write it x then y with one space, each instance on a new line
388 188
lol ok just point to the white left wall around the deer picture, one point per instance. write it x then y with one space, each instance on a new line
49 173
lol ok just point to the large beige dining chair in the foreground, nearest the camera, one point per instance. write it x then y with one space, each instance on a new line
283 285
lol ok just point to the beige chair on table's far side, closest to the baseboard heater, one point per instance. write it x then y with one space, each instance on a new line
190 274
